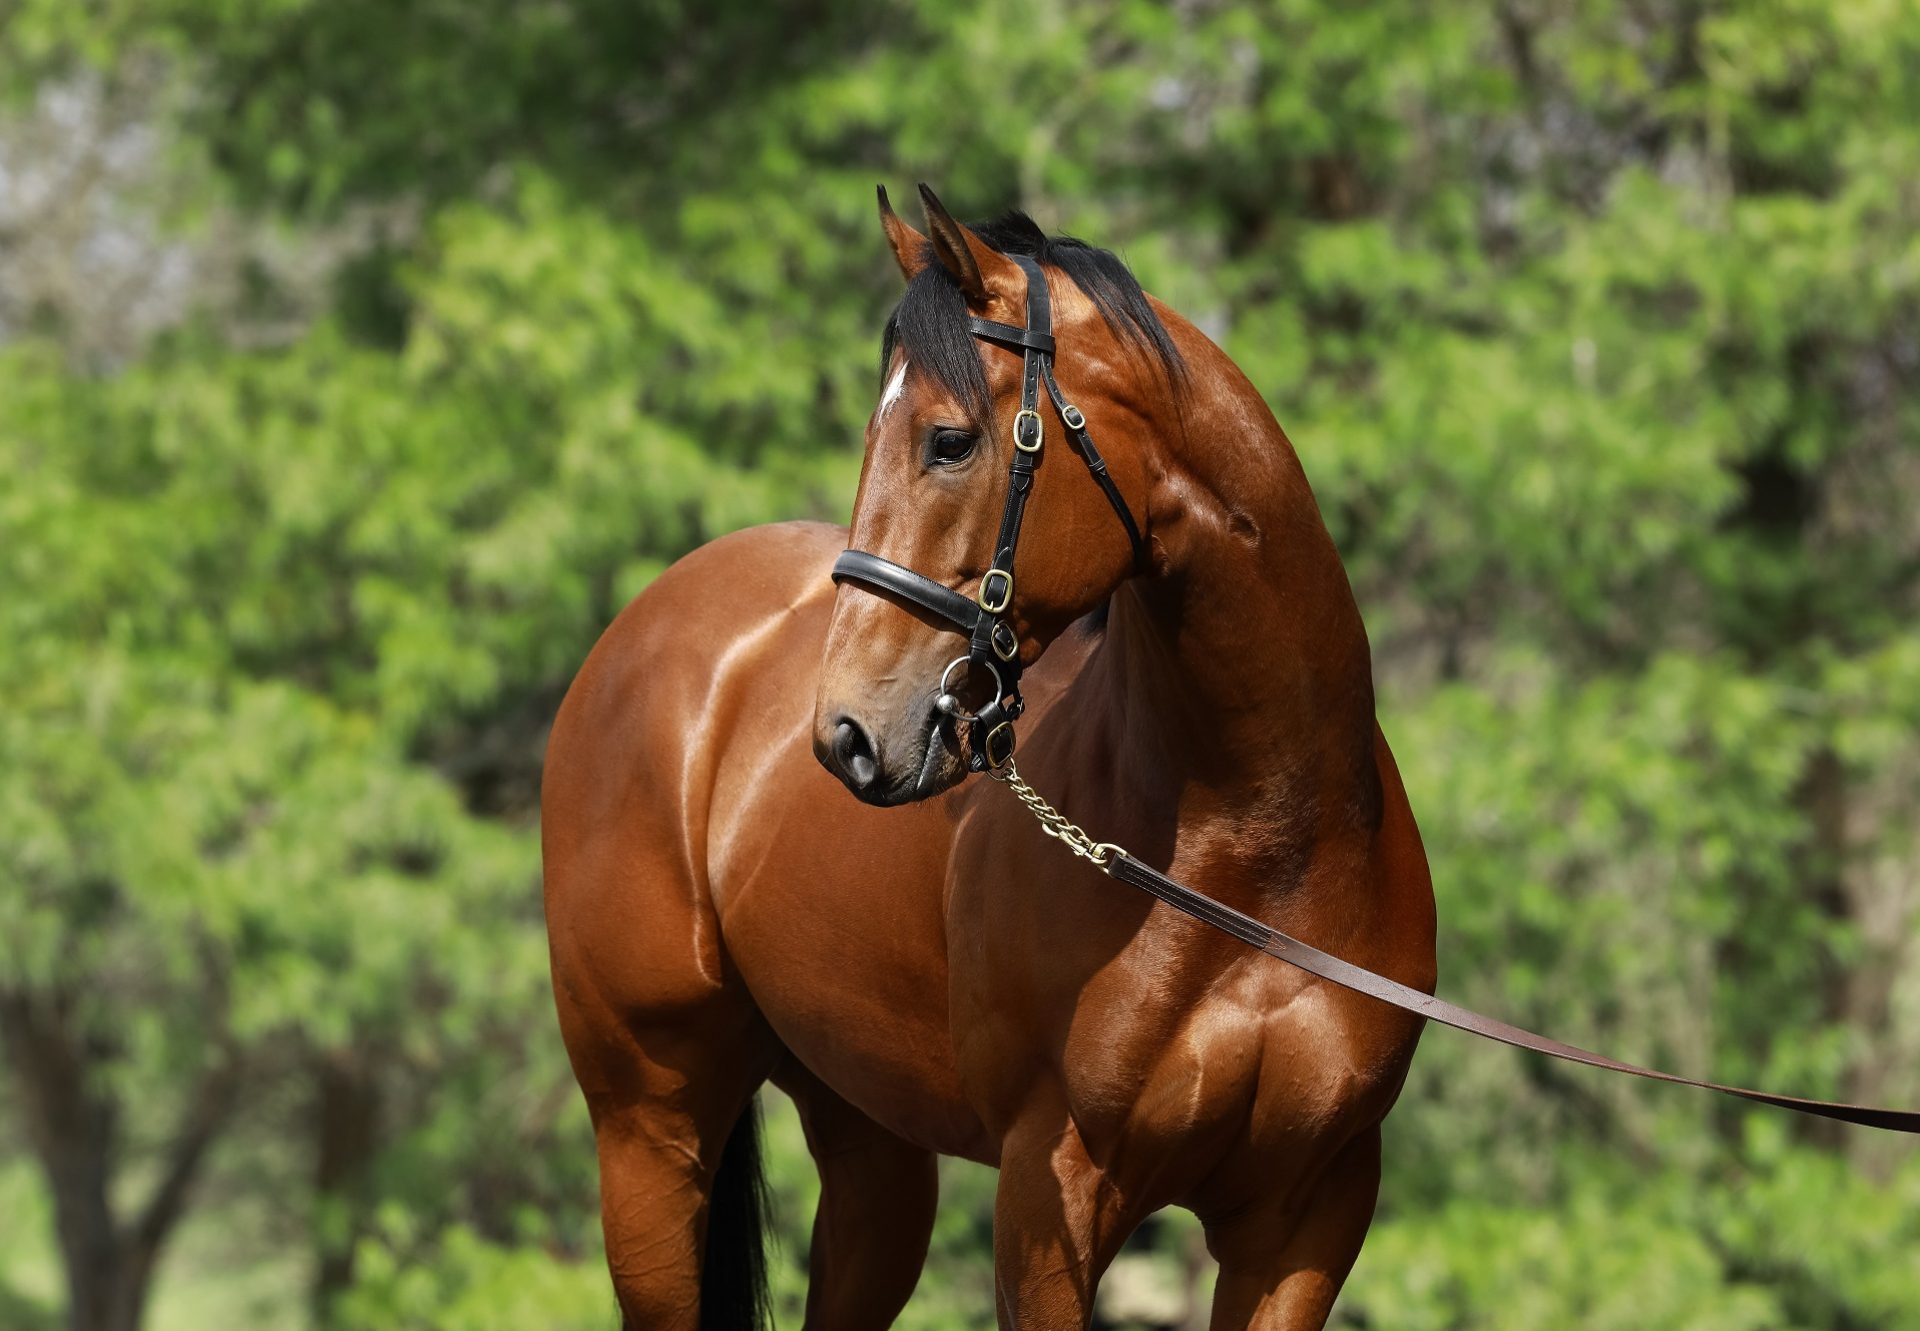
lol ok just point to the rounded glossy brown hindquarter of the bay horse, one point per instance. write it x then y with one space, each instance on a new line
635 758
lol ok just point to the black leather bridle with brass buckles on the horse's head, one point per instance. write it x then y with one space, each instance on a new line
984 617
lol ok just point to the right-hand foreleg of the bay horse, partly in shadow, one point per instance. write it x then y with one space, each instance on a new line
1282 1267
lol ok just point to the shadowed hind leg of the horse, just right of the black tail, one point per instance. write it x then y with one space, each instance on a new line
878 1198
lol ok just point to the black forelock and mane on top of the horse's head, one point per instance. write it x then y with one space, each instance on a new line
930 322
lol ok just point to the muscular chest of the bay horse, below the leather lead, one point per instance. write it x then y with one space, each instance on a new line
1166 1046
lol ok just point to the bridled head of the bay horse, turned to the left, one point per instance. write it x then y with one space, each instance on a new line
969 556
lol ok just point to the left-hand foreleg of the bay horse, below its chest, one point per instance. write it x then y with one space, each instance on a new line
1057 1226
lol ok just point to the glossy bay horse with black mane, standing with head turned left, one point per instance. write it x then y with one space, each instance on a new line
917 963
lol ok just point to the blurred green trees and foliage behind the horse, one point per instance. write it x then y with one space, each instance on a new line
360 360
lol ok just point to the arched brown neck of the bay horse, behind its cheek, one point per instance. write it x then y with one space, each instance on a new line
1245 671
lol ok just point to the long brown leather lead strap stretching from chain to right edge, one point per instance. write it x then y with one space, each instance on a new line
1360 980
